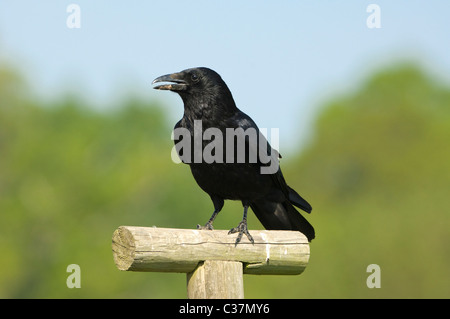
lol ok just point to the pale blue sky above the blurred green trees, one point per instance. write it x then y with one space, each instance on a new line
281 59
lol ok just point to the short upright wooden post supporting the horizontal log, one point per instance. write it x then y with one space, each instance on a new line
216 279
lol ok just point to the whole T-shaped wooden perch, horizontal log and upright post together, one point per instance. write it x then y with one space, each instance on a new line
214 265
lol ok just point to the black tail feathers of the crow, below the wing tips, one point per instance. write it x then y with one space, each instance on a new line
282 216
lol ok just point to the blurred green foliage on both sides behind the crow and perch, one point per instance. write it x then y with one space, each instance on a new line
376 171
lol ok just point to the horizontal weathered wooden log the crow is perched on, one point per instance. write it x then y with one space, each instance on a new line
181 250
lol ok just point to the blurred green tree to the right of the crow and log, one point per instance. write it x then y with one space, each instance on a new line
377 175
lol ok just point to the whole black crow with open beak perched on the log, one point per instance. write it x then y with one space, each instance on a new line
209 105
